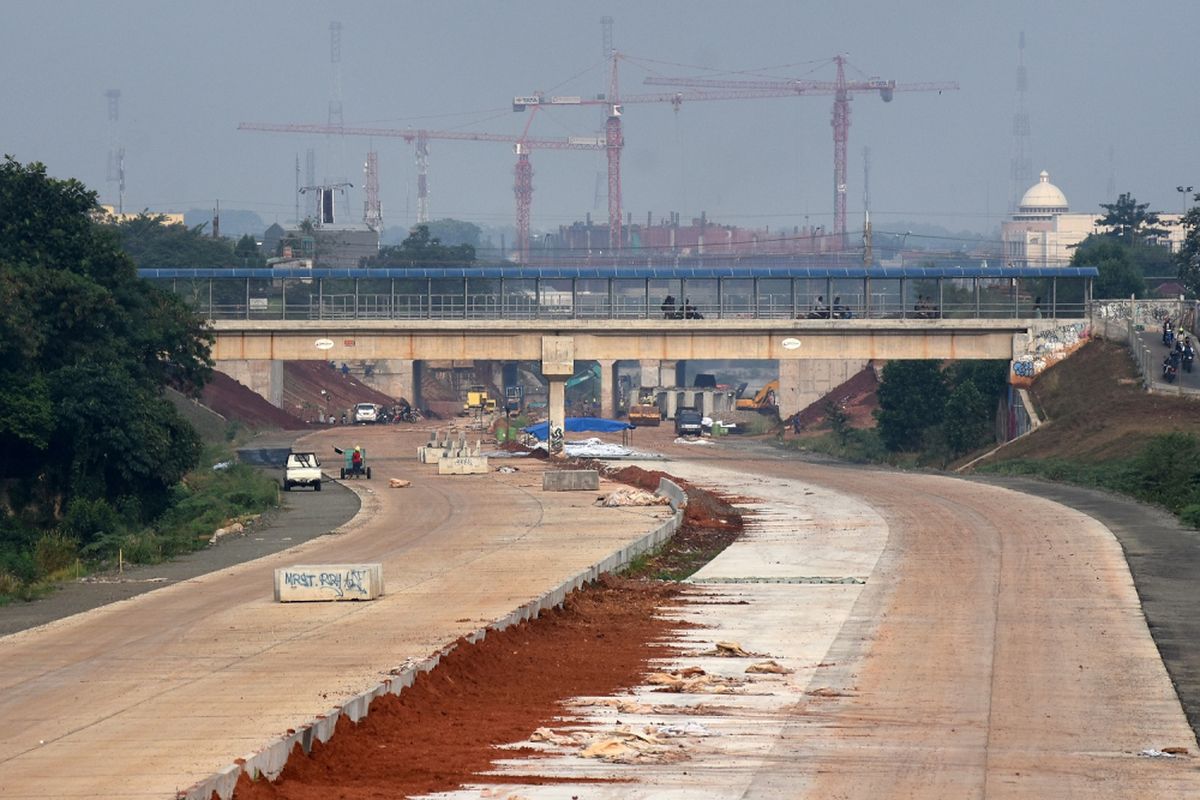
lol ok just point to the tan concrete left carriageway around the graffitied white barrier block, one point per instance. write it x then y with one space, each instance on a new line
151 695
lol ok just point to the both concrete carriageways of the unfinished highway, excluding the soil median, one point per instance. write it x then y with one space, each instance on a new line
971 642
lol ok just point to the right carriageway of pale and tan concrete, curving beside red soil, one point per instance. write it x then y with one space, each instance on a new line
998 649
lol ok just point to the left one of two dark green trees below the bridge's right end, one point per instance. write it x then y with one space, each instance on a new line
913 399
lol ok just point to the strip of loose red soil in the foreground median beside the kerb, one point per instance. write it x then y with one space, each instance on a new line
443 731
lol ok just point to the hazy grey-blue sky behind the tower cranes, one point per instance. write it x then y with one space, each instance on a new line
1105 76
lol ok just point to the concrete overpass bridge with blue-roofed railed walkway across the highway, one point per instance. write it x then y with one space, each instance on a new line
821 324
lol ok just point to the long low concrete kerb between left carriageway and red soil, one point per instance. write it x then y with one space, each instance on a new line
271 761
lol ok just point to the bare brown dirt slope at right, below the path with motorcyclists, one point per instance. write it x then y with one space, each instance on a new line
1097 410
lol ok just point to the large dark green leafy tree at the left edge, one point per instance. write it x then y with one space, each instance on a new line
86 352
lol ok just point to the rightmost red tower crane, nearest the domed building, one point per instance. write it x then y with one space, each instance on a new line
842 89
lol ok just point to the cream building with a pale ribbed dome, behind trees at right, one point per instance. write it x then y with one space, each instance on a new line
1043 232
